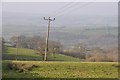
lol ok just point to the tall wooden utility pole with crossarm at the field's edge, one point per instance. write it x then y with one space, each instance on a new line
47 36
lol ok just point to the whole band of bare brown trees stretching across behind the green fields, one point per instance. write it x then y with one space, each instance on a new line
80 50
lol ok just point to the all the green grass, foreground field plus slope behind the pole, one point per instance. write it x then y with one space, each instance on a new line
58 66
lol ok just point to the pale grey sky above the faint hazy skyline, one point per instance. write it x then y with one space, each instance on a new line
56 8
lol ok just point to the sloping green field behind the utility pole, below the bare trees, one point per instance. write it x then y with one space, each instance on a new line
28 54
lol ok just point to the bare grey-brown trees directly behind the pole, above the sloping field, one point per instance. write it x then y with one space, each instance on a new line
36 43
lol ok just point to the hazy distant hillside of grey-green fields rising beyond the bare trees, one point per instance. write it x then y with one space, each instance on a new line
69 35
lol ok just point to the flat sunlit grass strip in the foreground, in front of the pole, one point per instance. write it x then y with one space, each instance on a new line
57 69
